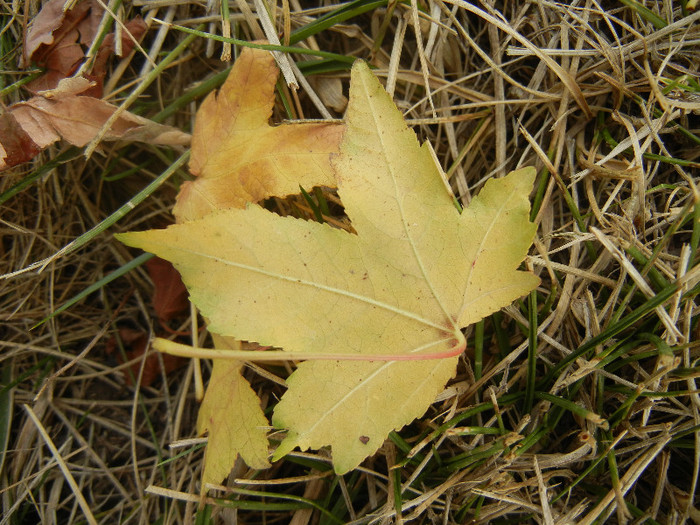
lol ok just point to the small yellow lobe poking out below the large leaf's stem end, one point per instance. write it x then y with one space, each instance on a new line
231 414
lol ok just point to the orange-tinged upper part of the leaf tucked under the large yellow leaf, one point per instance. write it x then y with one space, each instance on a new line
239 158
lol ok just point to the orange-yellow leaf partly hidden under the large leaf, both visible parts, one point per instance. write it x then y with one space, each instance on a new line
238 158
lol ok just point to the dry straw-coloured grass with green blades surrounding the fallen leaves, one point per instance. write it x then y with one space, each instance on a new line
601 424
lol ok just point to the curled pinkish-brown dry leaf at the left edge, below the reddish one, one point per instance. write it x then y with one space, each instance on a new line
63 113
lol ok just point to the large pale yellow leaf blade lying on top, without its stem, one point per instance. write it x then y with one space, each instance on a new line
402 288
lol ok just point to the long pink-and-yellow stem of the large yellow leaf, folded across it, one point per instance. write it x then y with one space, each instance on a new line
179 349
